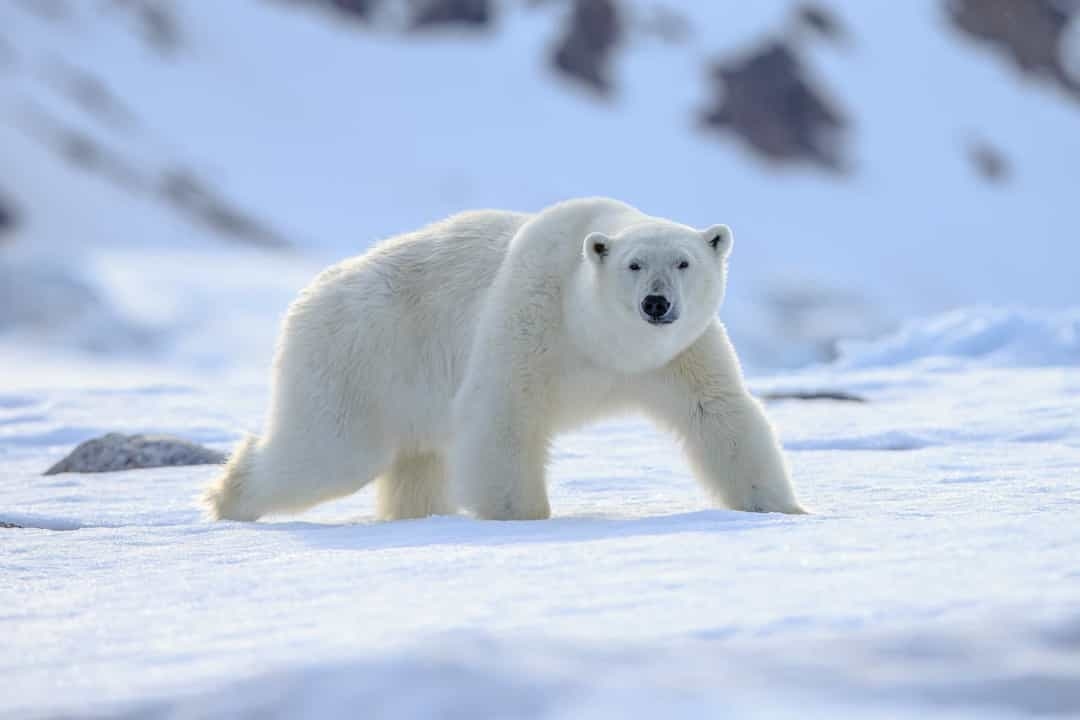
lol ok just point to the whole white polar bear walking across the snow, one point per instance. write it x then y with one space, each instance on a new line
442 363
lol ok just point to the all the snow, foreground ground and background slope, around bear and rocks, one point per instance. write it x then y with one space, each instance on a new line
937 578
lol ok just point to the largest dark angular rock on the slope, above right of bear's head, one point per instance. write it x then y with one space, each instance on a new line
767 100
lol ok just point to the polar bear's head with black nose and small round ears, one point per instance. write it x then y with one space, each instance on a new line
660 282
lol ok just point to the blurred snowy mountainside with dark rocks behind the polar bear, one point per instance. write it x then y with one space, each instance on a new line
172 172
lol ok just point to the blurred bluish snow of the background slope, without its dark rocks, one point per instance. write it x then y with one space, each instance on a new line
333 135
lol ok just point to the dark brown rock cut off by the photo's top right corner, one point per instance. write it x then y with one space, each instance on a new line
1030 33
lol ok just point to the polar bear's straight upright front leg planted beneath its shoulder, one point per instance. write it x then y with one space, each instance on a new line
499 455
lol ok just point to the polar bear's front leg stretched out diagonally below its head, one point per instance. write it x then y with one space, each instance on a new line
730 442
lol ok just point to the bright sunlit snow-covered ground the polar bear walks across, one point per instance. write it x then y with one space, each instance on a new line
939 576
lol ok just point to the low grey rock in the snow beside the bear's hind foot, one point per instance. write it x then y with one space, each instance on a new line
116 452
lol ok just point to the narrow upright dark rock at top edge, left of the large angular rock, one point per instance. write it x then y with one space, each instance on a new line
592 34
